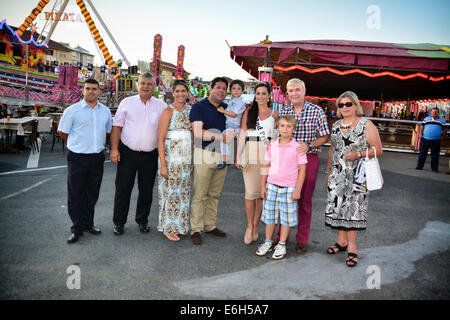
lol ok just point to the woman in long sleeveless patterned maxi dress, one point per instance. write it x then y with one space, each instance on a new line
175 165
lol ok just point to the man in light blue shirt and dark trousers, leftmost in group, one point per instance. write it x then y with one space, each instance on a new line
84 126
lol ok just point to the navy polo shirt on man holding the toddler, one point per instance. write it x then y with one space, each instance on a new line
207 113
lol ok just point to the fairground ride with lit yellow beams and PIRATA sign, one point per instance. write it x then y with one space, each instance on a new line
64 87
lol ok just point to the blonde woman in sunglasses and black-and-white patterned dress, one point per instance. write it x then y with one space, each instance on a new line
346 209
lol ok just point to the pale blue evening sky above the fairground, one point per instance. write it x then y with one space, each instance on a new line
204 26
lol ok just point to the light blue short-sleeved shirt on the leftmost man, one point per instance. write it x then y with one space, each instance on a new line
87 127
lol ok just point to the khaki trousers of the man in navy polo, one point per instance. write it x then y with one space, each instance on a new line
208 184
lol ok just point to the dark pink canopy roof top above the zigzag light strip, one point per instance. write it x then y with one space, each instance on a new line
424 56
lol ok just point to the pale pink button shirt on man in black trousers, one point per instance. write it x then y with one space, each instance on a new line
139 122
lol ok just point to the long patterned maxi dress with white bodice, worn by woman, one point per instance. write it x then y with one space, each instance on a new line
174 193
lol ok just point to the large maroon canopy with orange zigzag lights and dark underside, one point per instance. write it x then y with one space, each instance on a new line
374 70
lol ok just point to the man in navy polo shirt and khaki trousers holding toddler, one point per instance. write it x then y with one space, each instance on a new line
207 125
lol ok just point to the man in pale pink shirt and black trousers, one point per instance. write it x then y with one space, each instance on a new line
134 141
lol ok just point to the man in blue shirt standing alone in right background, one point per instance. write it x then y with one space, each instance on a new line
431 133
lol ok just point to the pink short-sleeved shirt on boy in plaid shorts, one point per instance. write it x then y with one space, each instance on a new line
284 160
